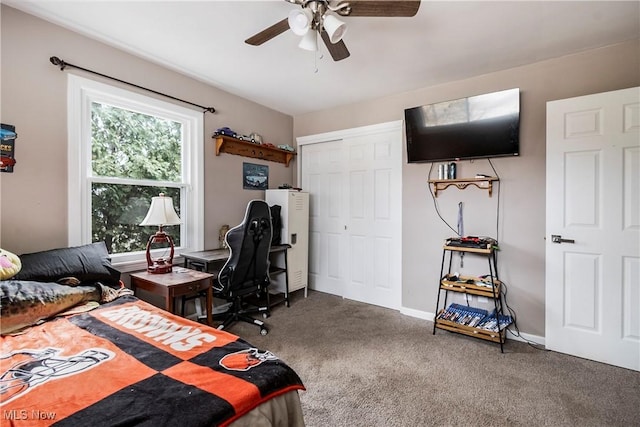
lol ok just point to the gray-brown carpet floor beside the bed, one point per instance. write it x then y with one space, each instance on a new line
364 365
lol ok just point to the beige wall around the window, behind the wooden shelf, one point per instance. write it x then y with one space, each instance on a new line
33 199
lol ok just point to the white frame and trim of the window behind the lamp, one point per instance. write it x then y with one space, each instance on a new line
81 93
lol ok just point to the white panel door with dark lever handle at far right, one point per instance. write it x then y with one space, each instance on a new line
593 205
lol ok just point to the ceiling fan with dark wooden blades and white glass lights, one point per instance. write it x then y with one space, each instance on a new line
319 17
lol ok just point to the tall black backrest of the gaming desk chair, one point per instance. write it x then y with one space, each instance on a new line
247 268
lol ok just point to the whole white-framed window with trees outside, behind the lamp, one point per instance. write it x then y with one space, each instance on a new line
125 148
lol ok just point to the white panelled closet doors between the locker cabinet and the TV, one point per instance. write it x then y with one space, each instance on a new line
354 183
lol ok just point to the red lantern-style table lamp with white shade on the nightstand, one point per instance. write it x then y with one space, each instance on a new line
161 213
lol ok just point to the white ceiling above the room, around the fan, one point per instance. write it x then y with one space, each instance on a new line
445 41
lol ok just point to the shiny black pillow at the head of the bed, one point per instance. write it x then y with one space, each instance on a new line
88 263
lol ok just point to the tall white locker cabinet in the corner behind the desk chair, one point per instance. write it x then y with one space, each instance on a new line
295 232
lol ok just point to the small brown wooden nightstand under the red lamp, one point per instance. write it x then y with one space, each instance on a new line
181 281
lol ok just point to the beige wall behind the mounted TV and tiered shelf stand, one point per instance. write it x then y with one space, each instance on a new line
522 195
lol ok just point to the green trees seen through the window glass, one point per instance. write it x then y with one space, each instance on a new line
135 156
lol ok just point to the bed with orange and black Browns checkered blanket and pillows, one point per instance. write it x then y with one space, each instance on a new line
122 361
